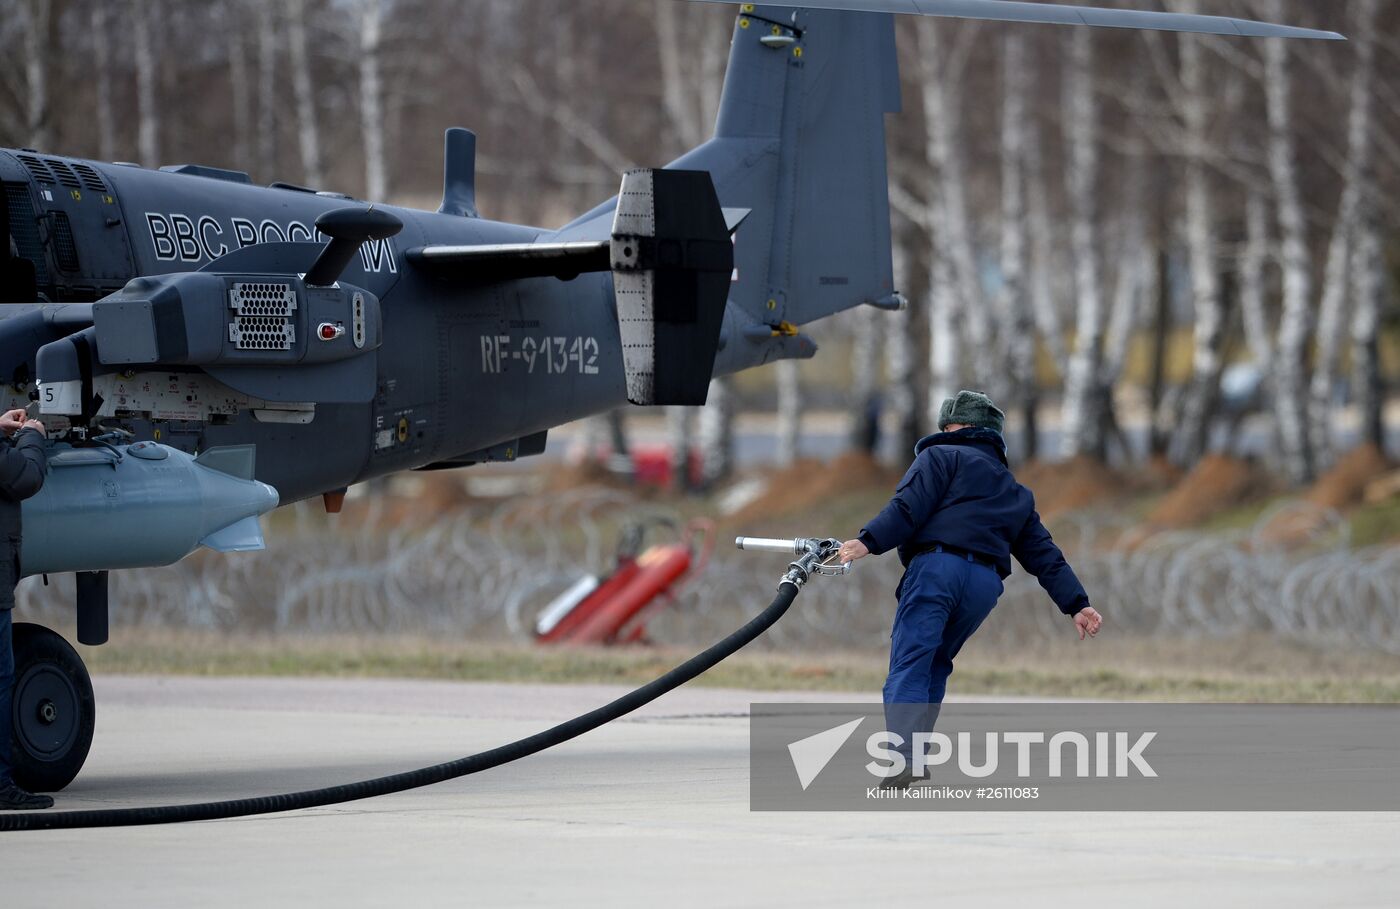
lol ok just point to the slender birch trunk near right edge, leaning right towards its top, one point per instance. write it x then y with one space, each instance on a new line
1333 312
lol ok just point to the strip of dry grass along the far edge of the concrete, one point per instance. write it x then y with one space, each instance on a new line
1237 670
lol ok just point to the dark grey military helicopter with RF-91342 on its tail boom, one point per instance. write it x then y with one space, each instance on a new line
204 349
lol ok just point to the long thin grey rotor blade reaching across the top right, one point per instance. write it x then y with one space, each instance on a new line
1058 15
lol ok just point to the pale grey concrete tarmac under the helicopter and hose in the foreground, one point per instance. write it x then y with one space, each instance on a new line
647 812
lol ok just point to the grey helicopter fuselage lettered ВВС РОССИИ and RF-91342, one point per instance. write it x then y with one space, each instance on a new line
463 368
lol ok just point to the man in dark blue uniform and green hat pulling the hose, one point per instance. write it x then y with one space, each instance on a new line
957 519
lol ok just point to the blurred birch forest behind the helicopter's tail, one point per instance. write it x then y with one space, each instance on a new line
1135 240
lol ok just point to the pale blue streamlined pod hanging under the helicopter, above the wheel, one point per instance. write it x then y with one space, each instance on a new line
142 506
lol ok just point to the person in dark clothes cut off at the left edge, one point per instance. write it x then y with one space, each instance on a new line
23 466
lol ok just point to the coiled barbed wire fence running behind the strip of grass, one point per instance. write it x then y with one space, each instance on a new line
486 572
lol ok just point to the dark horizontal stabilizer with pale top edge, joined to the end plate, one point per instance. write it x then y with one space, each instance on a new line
507 263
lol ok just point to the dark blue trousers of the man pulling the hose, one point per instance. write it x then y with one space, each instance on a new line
943 600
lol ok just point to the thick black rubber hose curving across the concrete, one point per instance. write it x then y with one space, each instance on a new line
415 779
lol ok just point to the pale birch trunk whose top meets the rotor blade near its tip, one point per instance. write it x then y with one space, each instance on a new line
1290 365
